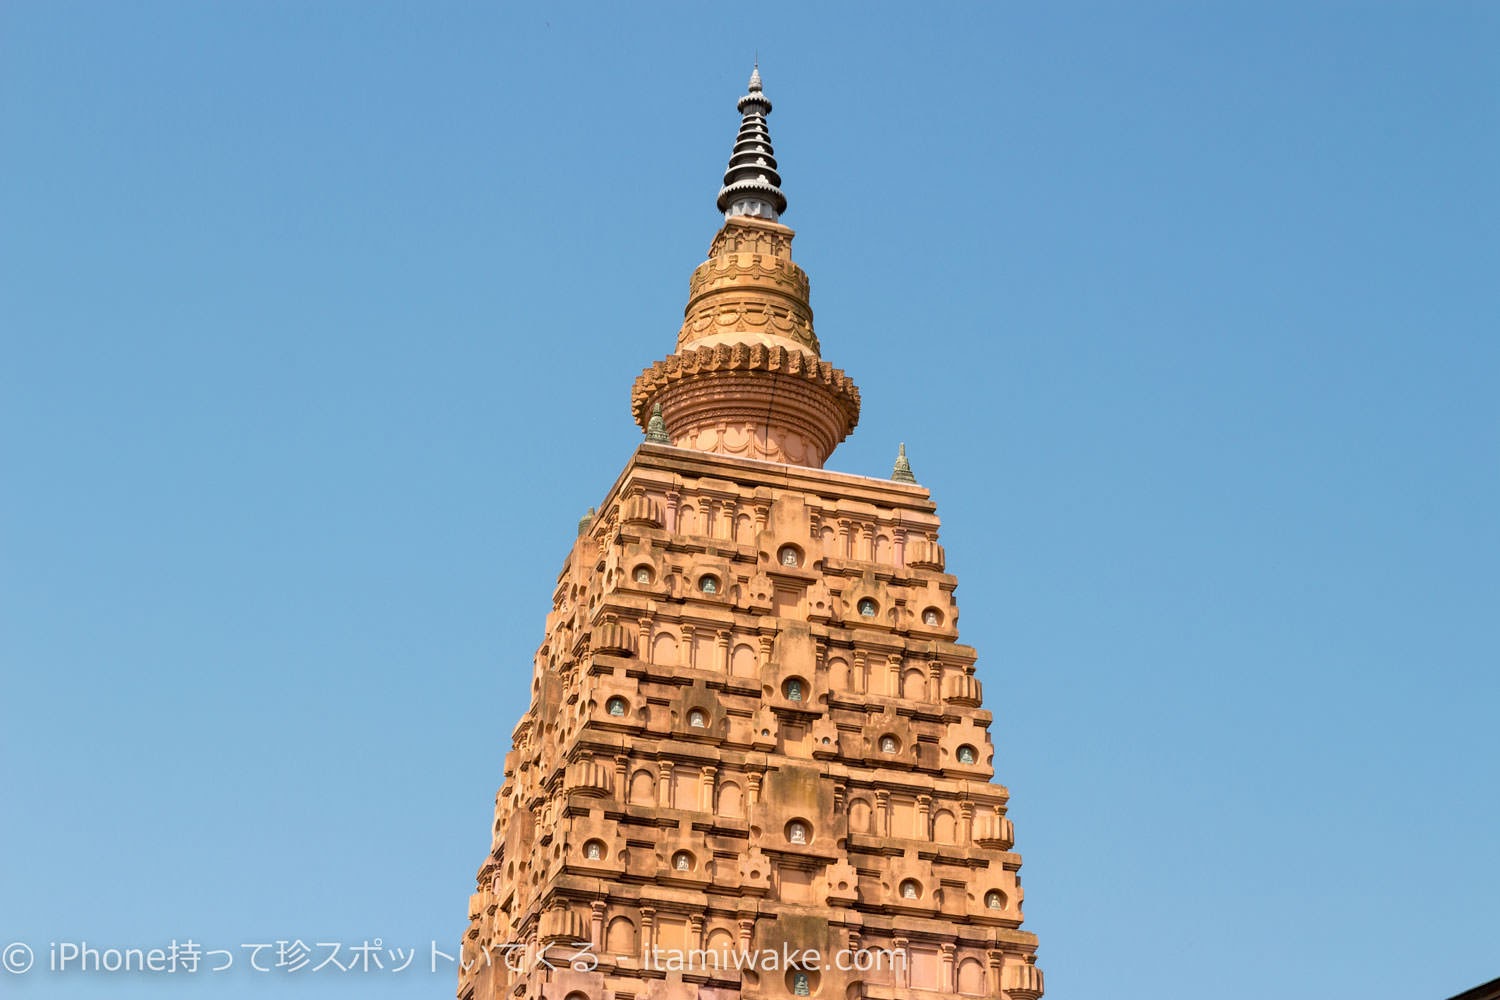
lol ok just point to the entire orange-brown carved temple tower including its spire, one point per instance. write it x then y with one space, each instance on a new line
752 731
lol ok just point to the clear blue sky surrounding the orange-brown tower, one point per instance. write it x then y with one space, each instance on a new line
319 325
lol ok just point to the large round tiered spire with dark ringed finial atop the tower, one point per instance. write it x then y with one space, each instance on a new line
748 379
